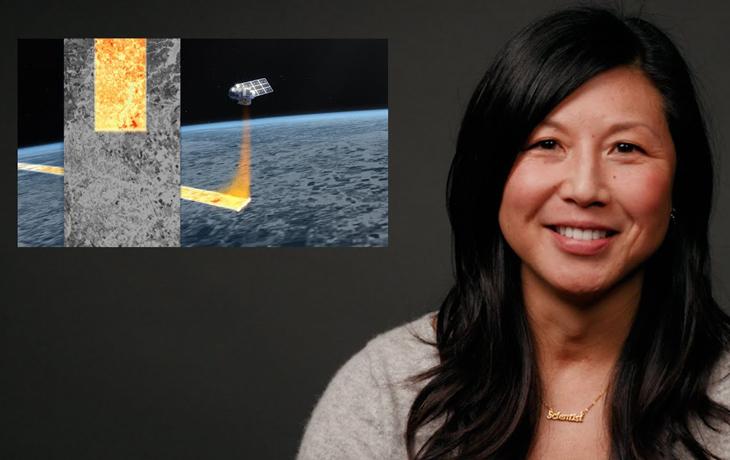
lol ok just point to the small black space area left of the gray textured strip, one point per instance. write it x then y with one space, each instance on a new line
40 91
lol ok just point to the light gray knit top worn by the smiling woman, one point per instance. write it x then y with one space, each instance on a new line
363 412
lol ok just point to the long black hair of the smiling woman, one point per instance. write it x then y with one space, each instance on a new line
484 396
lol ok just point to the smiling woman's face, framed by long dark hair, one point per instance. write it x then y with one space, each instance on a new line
588 199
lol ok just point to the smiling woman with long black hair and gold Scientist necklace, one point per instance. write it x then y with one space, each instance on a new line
582 323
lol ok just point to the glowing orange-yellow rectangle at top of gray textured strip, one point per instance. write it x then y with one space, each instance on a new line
120 84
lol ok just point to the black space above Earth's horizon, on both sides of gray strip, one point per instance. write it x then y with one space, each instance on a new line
308 76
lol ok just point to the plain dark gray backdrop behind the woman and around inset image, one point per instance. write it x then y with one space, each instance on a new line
222 353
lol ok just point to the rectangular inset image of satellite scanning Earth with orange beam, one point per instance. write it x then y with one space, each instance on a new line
261 142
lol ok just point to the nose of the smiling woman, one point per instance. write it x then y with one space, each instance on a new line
584 181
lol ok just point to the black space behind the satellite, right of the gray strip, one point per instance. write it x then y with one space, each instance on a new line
307 76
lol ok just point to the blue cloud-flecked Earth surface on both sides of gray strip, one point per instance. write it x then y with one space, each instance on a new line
316 180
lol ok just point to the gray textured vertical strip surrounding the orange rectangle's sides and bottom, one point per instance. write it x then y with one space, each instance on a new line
122 188
